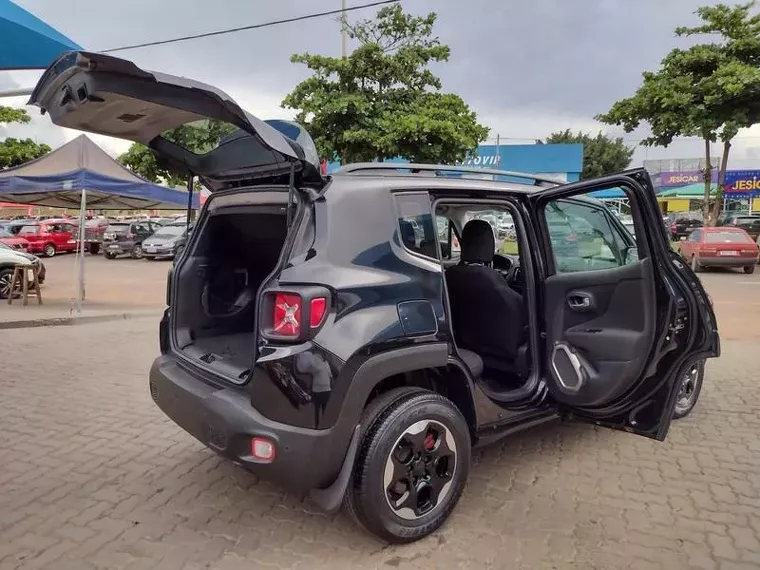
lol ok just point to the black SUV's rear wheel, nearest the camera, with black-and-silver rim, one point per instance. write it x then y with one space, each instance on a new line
442 444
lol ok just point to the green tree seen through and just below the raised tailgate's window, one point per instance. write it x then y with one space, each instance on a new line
199 137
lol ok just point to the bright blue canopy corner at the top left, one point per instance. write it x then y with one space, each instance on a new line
28 42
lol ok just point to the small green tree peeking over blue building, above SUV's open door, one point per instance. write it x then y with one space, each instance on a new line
602 155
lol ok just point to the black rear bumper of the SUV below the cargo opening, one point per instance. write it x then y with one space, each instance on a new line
224 420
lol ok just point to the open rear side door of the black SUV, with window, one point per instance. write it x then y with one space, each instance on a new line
625 318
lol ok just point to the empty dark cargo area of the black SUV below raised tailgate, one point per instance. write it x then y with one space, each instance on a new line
216 284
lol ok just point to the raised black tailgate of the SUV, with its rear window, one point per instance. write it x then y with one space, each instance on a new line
111 96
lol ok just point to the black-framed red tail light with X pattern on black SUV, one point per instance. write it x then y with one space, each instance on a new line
294 315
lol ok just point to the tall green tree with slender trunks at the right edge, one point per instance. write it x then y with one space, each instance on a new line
709 90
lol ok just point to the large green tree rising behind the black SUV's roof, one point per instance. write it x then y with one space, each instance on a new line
382 100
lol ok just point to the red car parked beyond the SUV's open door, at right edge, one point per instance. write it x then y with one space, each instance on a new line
720 247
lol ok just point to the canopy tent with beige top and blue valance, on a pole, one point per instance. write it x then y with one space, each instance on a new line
80 174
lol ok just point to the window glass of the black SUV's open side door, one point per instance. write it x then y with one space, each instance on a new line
583 237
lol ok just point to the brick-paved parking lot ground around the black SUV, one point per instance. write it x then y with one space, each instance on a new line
94 476
